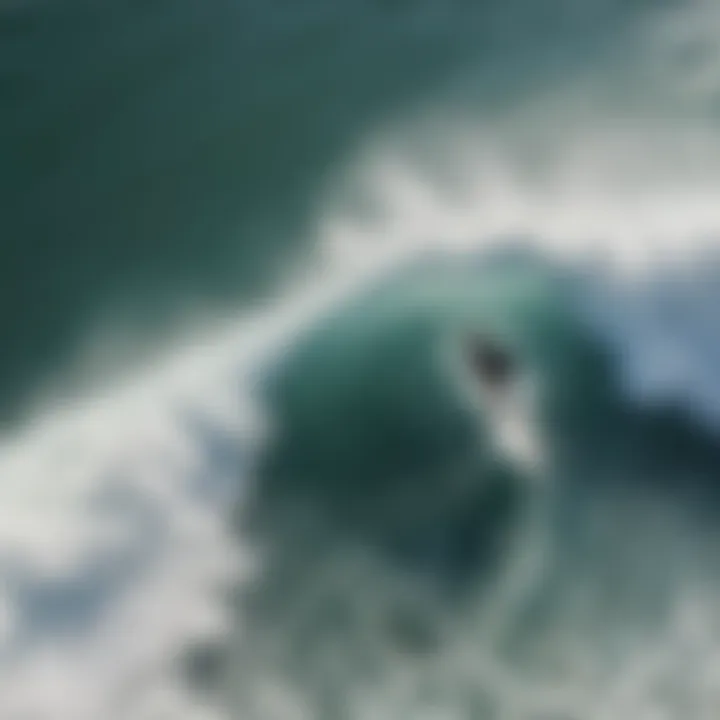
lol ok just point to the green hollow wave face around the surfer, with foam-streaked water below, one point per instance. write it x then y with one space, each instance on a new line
409 562
